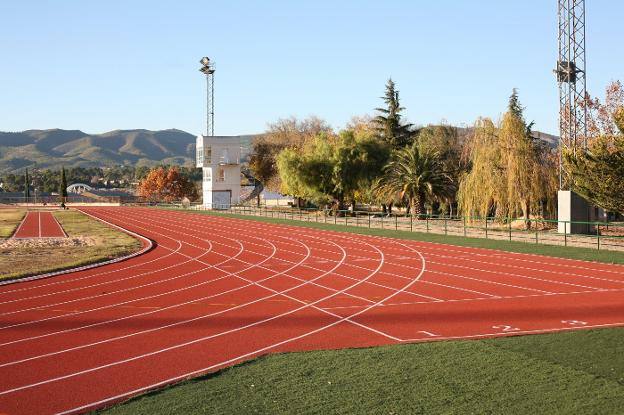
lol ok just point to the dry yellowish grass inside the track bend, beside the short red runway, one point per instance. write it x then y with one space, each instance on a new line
105 243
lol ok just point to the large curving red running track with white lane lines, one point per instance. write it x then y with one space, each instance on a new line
216 291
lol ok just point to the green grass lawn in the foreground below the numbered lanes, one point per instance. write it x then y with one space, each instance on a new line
565 373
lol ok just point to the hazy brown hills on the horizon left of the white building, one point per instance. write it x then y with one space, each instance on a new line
74 148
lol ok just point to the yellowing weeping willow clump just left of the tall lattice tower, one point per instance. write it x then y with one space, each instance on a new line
512 174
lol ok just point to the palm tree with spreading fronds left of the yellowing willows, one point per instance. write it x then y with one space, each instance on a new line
416 175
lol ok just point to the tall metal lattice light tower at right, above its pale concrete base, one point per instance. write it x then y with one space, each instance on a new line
571 75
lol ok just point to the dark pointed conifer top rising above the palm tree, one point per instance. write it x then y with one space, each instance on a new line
388 125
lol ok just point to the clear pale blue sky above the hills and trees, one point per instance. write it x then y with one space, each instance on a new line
98 66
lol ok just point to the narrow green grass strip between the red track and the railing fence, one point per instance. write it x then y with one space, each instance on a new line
586 254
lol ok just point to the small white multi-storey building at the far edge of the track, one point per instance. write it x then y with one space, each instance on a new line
219 158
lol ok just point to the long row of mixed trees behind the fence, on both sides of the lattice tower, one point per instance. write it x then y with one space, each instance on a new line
495 168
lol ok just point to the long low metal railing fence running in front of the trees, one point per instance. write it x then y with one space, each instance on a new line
604 235
